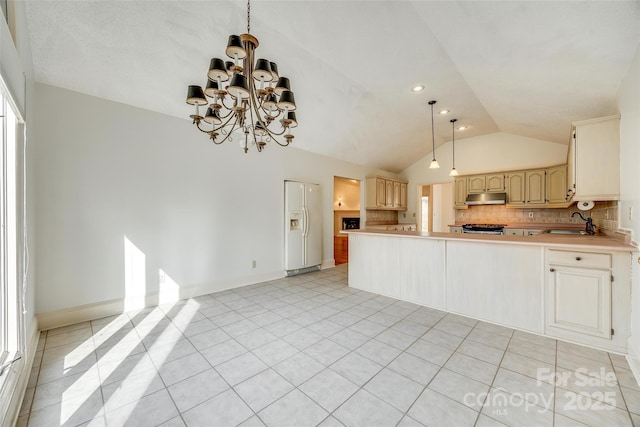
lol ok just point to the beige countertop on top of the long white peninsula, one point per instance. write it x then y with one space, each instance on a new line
612 242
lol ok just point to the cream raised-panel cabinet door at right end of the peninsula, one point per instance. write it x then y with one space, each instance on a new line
579 300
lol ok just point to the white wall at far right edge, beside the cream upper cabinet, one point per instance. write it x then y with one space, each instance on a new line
629 107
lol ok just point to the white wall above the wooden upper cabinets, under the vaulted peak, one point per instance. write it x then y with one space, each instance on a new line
487 153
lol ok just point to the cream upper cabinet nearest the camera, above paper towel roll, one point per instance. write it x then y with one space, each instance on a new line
596 159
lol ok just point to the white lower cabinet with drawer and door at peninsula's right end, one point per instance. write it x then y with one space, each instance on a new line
584 301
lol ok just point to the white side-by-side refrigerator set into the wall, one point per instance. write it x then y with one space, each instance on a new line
303 227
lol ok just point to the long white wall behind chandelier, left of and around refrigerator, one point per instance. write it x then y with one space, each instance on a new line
197 211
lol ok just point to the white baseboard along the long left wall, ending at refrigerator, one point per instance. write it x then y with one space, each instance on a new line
83 313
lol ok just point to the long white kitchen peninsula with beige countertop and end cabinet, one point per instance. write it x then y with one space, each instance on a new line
575 288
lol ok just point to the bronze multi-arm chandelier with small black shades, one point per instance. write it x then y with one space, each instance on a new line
247 97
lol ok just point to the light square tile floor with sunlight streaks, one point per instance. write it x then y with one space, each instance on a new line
307 351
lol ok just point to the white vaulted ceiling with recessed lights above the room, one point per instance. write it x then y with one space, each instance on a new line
525 67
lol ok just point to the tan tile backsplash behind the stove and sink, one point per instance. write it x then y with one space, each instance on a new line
604 214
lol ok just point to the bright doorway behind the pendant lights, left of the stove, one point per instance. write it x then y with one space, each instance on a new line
435 207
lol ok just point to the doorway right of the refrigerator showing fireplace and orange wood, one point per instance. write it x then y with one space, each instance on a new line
346 215
